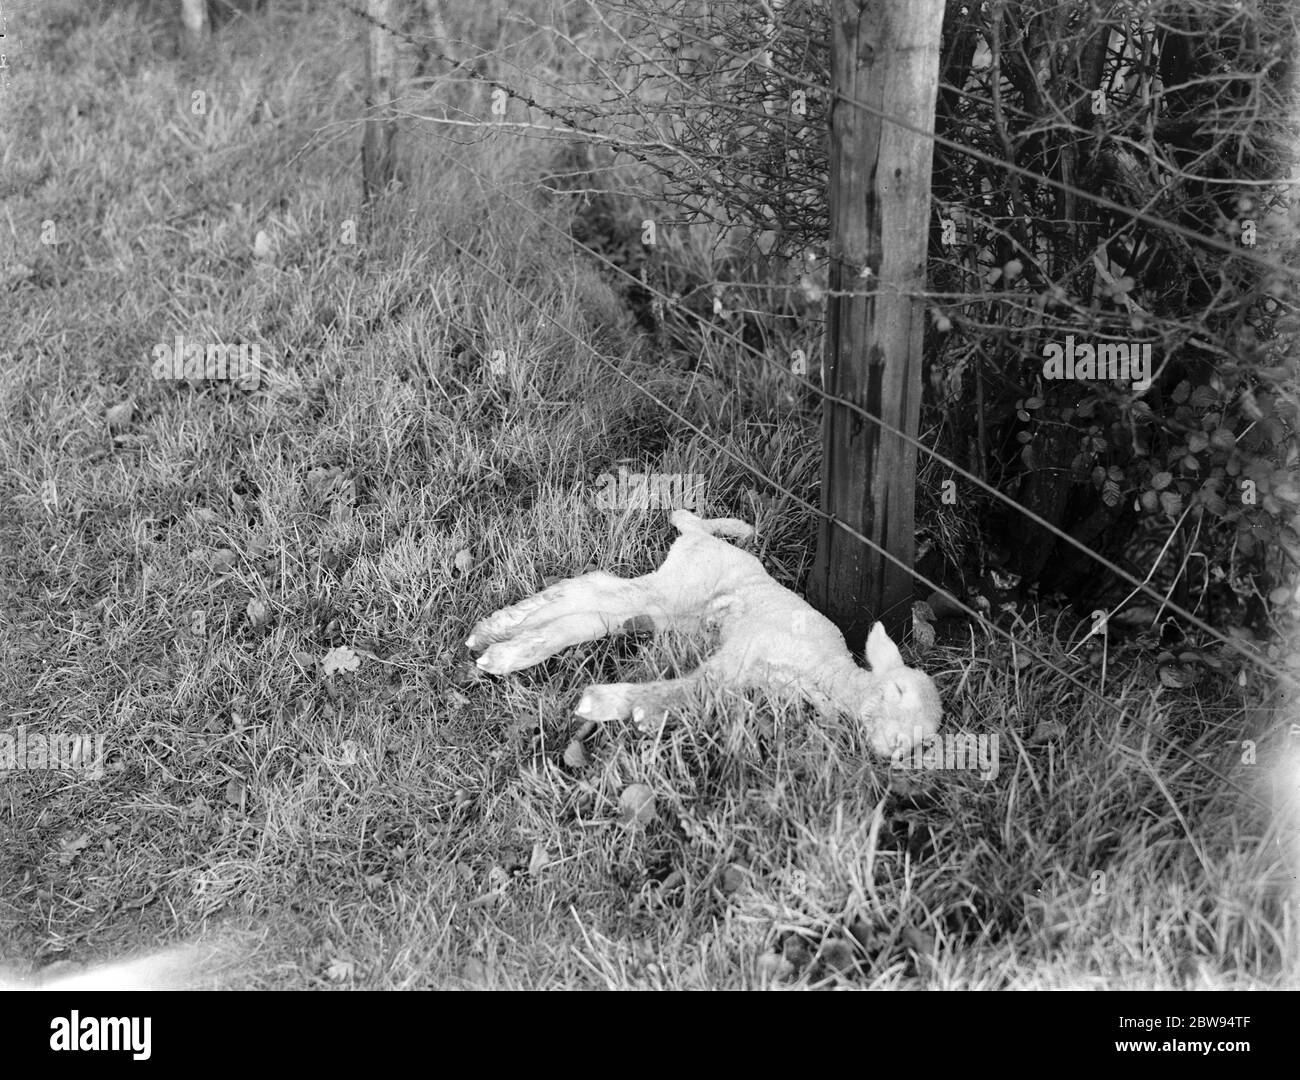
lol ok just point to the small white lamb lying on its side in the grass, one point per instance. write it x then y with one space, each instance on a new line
769 637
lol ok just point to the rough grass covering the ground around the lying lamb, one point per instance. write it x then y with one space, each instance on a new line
441 401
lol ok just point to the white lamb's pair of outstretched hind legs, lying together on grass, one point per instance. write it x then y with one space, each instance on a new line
571 611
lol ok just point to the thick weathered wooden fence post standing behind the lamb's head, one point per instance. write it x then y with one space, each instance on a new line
885 55
